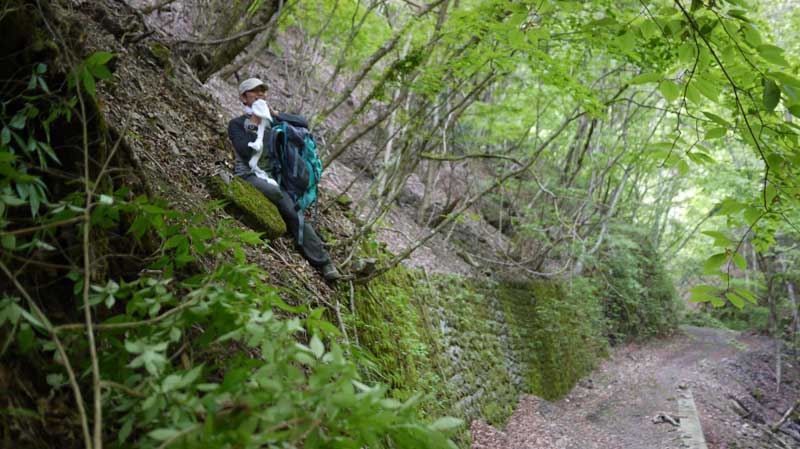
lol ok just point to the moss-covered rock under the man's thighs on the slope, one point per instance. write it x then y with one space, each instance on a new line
248 204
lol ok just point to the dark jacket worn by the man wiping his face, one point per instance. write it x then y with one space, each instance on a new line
242 132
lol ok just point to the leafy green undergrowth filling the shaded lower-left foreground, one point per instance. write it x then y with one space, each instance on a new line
155 324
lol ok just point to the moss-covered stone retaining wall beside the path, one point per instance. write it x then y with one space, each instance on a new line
473 346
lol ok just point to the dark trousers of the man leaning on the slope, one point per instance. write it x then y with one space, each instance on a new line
311 247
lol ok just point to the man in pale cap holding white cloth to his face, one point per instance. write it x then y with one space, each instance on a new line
254 165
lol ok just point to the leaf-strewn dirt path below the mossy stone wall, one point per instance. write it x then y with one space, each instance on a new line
731 375
